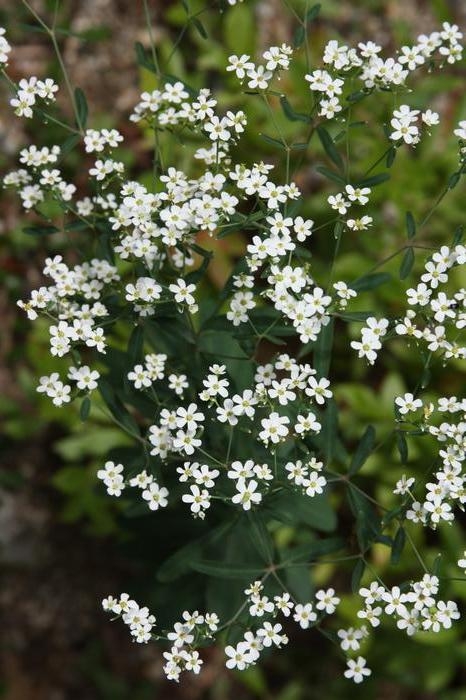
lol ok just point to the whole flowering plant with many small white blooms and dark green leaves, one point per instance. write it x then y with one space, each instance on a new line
228 398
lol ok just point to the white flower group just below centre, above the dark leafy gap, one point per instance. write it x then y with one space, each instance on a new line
180 429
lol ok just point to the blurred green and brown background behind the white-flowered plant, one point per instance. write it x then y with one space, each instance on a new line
63 543
